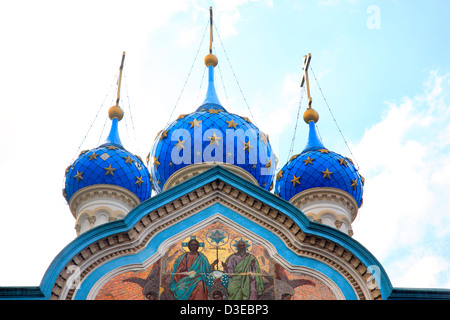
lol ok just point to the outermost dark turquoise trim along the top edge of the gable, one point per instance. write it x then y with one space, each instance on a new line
210 175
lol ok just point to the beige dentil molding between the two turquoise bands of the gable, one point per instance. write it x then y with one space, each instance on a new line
217 191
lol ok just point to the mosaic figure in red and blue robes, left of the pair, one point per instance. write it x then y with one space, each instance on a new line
189 274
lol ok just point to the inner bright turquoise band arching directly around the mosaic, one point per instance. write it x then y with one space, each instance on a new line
155 243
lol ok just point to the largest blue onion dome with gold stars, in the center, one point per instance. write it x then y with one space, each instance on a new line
212 135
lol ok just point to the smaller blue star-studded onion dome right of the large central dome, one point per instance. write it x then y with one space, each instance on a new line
317 167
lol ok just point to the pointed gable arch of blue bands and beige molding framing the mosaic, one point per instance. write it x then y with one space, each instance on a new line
190 203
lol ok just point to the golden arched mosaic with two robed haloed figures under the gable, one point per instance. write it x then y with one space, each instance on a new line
215 263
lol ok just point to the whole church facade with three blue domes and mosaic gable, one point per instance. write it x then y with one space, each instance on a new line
224 222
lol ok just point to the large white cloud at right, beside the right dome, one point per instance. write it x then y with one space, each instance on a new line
404 159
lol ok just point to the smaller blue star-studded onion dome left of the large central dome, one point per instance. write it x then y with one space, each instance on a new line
109 163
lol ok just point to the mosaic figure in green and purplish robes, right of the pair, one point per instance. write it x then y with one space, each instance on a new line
246 282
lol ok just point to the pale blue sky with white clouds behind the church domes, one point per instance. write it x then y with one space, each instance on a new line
382 66
